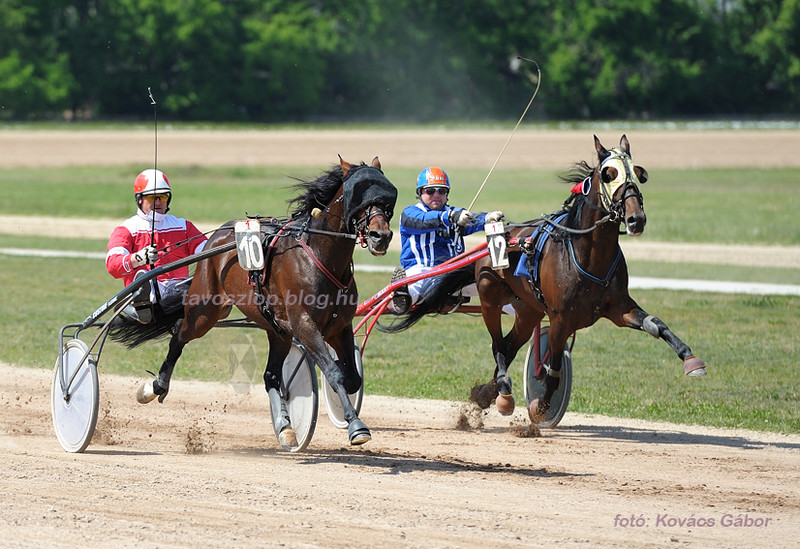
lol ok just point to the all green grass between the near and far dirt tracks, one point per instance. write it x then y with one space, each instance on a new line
749 342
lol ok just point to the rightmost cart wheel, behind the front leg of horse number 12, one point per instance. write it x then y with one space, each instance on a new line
534 380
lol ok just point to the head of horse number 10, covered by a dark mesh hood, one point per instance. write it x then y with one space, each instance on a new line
369 199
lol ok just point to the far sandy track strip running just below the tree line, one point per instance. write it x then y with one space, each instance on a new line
408 148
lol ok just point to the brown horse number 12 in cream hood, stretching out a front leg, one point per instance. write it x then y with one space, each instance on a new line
574 272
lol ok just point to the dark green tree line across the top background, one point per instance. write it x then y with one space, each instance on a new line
398 60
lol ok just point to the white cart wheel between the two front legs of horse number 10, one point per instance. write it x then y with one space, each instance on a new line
299 390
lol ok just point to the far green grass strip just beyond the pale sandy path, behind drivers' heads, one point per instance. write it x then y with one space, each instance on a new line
743 206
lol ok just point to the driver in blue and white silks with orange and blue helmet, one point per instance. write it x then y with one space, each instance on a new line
431 232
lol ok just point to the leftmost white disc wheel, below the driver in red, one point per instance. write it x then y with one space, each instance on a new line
74 403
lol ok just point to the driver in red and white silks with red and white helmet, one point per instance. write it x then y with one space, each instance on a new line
142 242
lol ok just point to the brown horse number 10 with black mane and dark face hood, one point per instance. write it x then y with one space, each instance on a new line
309 254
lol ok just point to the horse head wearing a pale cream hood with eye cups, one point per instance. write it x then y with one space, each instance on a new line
618 179
